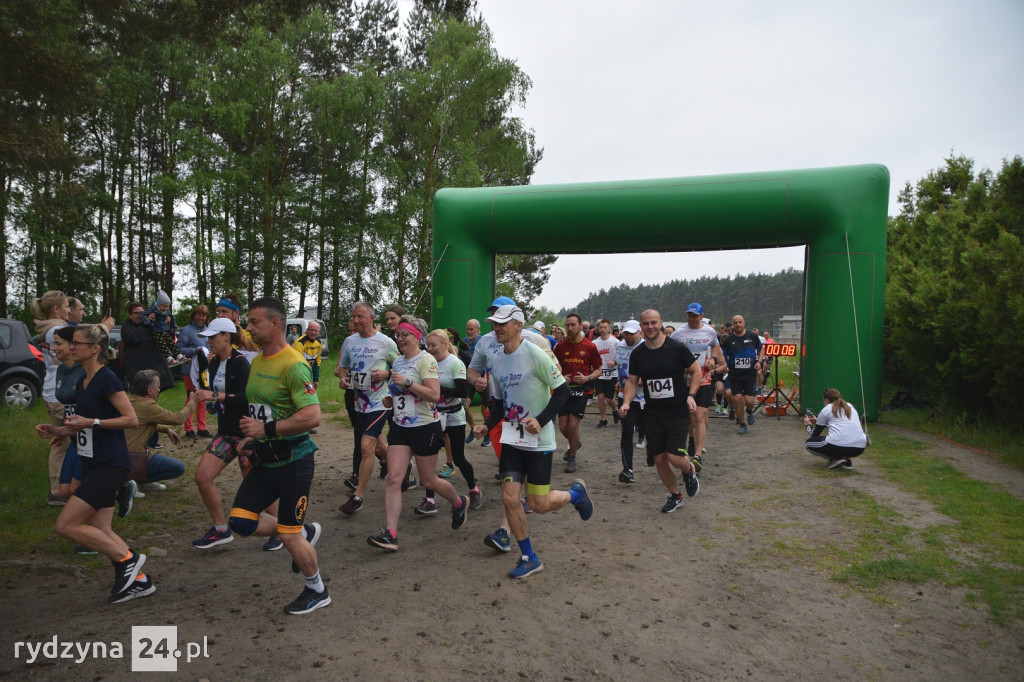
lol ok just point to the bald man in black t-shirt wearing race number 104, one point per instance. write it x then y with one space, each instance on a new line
663 365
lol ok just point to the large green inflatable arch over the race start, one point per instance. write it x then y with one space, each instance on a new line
839 214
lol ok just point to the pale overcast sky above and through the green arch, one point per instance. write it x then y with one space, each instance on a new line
673 89
